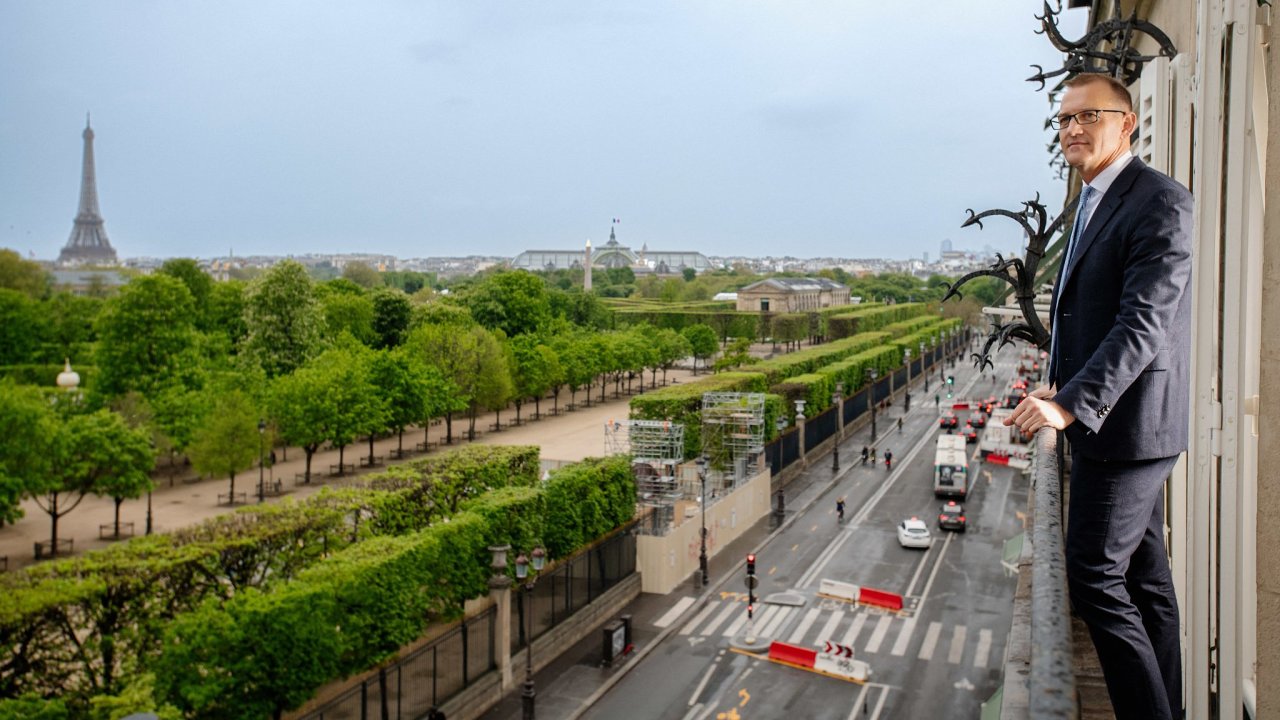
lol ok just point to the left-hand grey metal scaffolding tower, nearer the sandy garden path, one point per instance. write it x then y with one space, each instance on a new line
657 449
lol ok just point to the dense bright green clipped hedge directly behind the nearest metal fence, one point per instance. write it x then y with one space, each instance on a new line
263 654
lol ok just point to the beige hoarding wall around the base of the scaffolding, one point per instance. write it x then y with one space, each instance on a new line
666 562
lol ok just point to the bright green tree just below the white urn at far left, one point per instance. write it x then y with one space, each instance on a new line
92 454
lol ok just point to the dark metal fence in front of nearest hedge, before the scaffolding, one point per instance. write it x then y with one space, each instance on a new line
435 673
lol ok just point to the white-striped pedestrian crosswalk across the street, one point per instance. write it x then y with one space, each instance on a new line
867 631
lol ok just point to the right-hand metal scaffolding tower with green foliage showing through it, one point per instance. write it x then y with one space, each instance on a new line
734 434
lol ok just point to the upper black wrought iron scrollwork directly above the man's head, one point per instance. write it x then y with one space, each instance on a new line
1108 48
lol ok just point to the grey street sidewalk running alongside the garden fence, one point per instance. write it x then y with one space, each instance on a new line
573 682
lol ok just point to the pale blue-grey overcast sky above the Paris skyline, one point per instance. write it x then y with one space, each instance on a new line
854 129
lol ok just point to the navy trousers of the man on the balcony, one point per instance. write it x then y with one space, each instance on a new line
1121 585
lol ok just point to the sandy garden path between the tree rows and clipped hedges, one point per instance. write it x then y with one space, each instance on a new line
186 500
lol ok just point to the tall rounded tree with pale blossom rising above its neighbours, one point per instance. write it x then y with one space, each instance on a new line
284 318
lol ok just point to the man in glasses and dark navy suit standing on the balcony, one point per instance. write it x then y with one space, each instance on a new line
1121 389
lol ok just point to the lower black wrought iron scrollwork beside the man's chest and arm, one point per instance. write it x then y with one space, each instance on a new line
1021 275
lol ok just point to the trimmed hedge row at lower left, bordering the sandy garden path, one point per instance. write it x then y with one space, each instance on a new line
74 627
